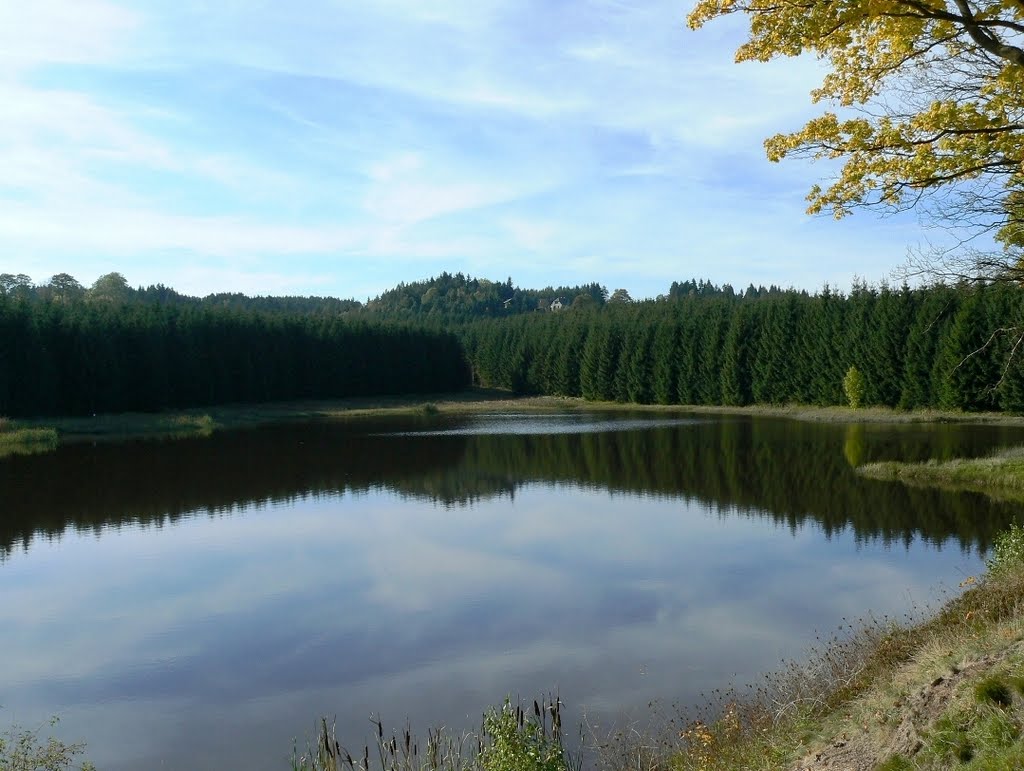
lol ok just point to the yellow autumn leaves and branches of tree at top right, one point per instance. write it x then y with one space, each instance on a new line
928 101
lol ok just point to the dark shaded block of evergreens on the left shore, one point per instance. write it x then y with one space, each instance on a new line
62 358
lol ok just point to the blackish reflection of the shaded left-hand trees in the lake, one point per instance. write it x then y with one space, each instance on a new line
91 488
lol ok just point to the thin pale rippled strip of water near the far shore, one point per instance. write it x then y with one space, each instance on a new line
525 424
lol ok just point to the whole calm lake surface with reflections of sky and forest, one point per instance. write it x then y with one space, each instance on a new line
199 604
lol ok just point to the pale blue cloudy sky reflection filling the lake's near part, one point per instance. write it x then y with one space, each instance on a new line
352 606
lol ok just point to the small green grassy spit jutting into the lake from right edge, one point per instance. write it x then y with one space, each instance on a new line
1001 476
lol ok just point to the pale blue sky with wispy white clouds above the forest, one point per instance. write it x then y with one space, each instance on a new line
339 148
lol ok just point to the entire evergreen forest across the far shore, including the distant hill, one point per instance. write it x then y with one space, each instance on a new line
71 350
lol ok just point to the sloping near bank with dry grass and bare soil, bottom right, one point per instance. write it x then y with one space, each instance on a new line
884 695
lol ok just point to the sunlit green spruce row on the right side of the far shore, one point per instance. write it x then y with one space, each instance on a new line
931 348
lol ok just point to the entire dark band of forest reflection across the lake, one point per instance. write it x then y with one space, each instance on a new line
790 472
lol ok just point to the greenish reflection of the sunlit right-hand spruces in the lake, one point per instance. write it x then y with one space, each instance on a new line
792 473
